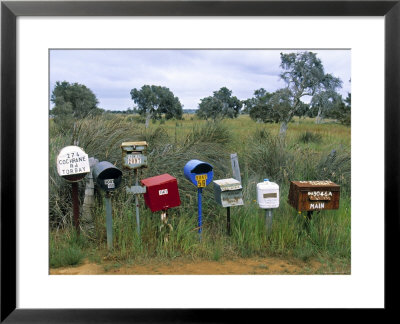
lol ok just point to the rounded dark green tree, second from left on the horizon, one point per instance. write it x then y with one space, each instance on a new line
153 101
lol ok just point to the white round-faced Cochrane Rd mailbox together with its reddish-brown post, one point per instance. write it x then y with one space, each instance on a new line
73 166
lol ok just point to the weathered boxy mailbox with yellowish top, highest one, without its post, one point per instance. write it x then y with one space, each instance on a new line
134 155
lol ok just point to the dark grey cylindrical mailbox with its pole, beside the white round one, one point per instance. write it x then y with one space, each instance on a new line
108 178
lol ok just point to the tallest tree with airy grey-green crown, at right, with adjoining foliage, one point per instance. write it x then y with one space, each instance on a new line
304 76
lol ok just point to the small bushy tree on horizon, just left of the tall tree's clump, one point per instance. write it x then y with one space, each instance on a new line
221 104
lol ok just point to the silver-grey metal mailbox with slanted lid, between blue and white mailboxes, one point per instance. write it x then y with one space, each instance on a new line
228 192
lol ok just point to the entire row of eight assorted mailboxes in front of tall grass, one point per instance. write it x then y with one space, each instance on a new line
161 192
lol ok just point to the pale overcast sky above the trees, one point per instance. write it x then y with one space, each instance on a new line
190 74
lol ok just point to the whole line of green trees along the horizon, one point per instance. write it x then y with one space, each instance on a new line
302 72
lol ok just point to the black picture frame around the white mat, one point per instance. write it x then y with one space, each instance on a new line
10 10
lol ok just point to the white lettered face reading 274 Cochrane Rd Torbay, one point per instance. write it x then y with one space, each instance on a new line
72 160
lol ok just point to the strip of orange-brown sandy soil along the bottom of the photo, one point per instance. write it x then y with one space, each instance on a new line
240 266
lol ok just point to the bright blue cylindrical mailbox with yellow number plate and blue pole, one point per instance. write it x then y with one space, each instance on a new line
200 174
